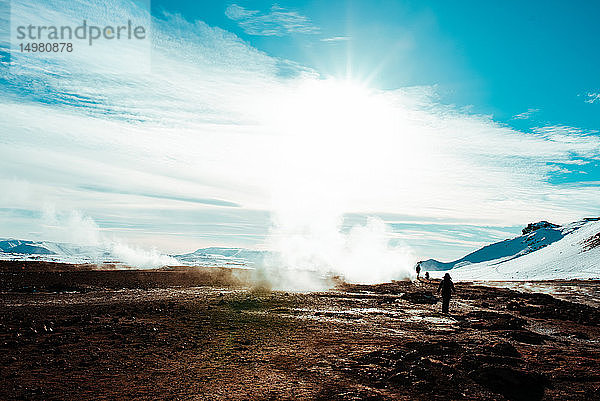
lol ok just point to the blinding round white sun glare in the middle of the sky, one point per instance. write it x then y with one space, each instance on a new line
340 138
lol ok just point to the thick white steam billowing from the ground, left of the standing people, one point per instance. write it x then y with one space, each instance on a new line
310 254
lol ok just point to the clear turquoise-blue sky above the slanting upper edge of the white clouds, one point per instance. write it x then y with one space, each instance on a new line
499 57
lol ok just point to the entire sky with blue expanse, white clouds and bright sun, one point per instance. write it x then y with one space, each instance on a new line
286 124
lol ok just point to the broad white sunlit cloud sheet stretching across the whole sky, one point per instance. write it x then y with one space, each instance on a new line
217 145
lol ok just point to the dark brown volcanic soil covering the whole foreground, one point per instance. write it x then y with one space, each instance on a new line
85 334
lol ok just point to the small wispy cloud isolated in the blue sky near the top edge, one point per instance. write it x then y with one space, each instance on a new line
277 22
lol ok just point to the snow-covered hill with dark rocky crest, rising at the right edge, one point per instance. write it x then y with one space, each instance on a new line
543 252
